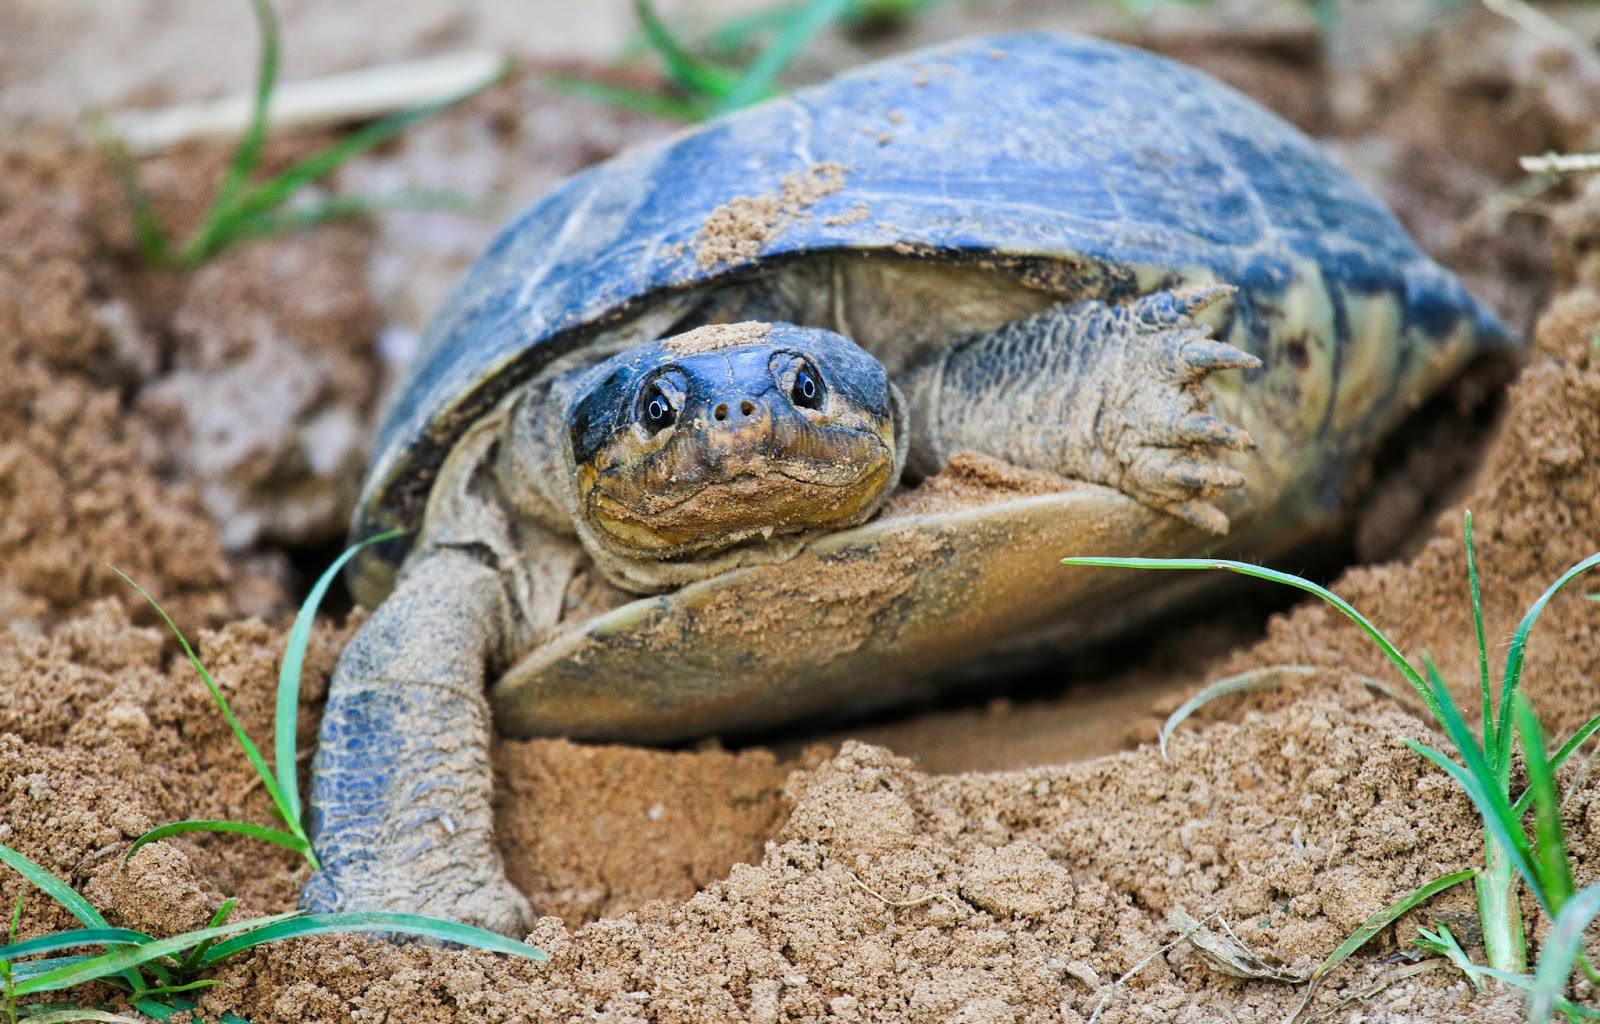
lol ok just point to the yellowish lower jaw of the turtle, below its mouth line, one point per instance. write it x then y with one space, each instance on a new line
729 513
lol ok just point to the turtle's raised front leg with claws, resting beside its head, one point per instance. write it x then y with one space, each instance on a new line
1106 394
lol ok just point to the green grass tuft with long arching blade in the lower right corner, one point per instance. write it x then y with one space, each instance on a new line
1514 855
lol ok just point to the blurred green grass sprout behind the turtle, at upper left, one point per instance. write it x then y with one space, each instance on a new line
246 209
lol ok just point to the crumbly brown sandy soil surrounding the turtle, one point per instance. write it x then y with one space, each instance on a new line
836 882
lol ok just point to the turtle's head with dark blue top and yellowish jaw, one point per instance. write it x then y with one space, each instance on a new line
732 434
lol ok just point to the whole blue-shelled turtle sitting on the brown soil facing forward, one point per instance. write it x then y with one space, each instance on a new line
796 412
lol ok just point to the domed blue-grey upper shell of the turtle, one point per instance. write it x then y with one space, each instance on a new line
1001 148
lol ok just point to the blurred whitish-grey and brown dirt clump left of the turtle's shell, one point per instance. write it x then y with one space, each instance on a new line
268 404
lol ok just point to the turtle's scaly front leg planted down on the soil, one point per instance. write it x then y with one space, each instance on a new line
402 785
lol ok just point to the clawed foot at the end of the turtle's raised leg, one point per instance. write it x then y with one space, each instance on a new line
1159 439
